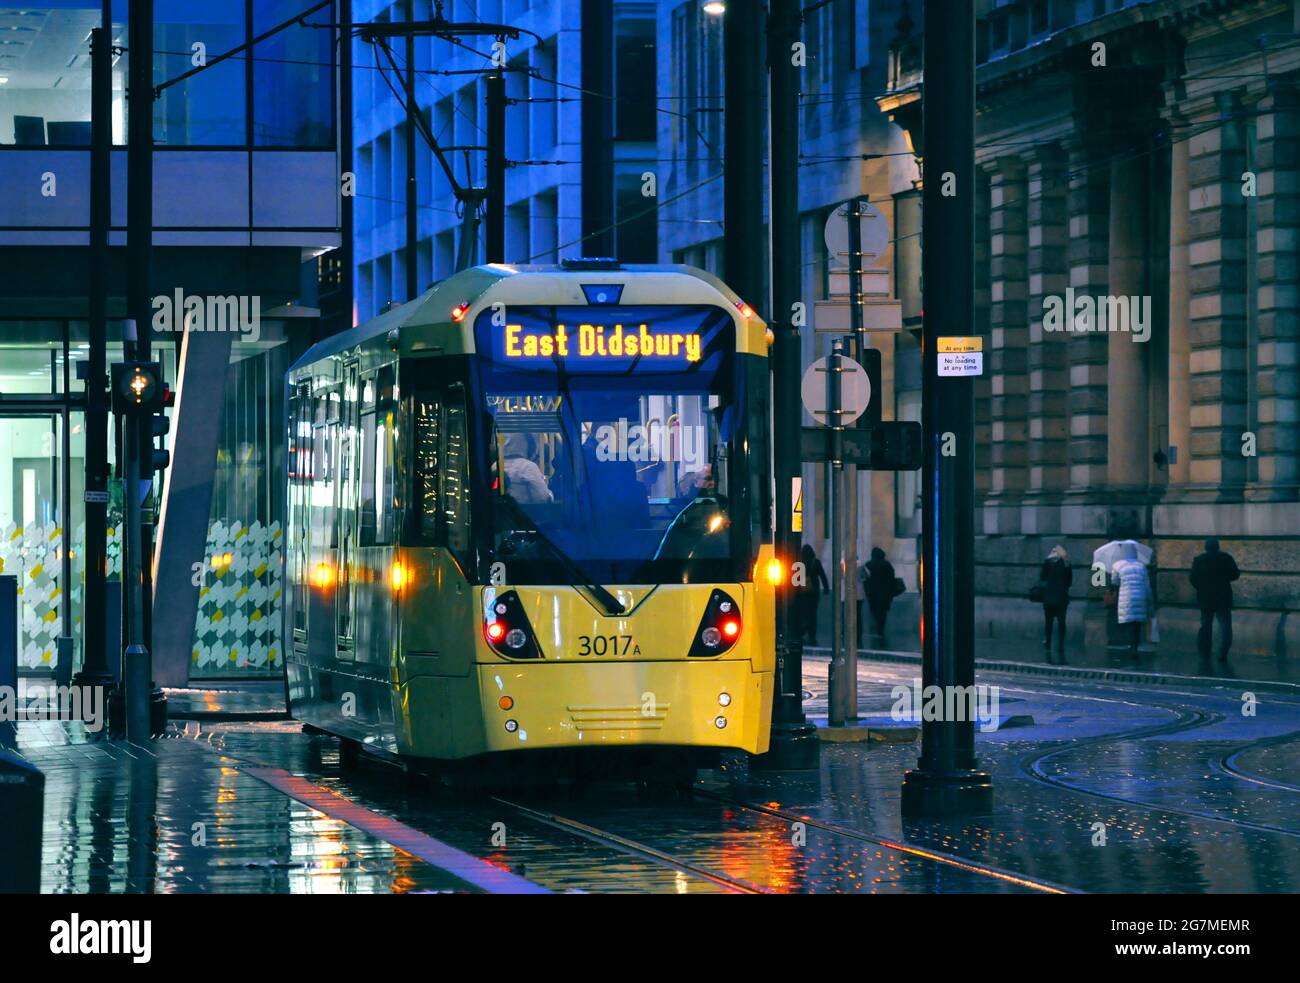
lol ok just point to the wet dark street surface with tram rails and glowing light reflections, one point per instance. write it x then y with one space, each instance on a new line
1197 799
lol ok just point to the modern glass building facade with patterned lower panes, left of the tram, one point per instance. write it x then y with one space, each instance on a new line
246 203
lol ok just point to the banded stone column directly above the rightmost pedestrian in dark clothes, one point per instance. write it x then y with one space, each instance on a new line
1217 309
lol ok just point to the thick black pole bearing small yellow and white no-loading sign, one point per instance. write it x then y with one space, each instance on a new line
947 780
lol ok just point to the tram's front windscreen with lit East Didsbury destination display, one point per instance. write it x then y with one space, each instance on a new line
618 436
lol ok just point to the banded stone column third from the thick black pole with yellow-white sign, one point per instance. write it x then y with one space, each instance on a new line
1089 209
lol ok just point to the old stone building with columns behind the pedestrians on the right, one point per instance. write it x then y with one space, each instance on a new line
1145 150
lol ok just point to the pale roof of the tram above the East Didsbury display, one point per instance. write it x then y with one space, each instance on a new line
432 310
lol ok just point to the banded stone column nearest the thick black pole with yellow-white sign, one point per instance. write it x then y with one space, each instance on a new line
1006 362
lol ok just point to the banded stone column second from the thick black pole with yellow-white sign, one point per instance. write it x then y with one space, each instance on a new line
1048 363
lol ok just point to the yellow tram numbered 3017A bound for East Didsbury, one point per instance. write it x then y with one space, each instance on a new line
531 513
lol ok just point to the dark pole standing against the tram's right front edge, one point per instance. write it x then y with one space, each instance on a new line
795 743
